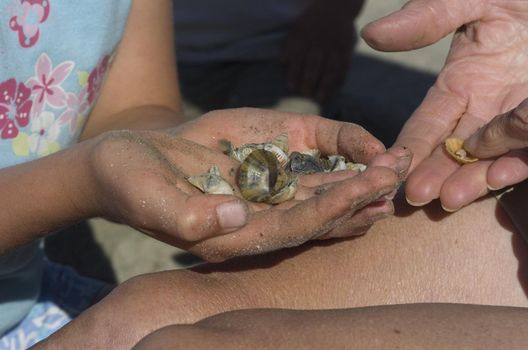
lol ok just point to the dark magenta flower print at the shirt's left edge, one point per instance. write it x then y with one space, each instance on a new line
15 107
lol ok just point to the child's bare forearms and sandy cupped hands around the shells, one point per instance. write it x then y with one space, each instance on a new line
139 177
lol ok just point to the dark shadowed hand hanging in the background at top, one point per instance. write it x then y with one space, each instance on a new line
318 48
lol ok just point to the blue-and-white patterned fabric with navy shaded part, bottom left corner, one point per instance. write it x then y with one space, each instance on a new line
64 295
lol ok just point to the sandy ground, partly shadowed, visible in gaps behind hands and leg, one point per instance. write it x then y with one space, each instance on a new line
385 84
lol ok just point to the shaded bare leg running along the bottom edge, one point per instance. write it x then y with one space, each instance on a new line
417 326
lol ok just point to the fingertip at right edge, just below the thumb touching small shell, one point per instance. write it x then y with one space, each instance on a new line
508 170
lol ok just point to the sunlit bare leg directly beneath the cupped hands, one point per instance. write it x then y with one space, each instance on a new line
471 257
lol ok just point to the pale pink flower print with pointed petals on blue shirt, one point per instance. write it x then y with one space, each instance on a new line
46 84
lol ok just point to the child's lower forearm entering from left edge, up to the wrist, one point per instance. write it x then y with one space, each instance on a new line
40 196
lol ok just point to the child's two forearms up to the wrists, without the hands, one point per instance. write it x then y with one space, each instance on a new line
141 91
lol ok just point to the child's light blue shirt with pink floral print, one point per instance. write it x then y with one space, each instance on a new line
54 55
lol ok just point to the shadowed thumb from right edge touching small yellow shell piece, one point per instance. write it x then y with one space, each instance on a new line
504 133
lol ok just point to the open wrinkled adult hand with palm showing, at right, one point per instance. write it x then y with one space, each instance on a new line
485 75
